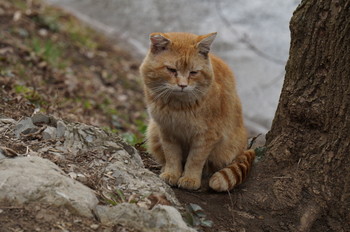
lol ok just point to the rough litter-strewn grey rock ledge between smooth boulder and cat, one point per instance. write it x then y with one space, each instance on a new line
126 165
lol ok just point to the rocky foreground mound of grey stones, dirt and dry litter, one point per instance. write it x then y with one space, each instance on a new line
90 178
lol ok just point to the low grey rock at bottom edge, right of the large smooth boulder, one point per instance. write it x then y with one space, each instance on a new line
160 218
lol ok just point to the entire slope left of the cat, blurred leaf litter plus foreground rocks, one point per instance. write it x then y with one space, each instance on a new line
57 174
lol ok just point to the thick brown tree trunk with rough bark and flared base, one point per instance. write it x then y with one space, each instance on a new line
303 182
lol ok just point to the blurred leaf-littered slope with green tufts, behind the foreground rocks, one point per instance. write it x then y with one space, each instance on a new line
65 69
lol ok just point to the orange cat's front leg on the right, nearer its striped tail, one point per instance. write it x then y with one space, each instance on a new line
198 155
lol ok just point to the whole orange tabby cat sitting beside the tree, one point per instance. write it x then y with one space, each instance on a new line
195 113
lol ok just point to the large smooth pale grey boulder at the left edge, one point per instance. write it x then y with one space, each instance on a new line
34 179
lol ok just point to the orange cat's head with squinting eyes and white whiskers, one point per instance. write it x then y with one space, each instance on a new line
178 66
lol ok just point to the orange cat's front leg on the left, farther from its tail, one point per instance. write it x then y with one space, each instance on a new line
172 169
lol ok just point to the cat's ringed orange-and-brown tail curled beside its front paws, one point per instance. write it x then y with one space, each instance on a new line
234 174
